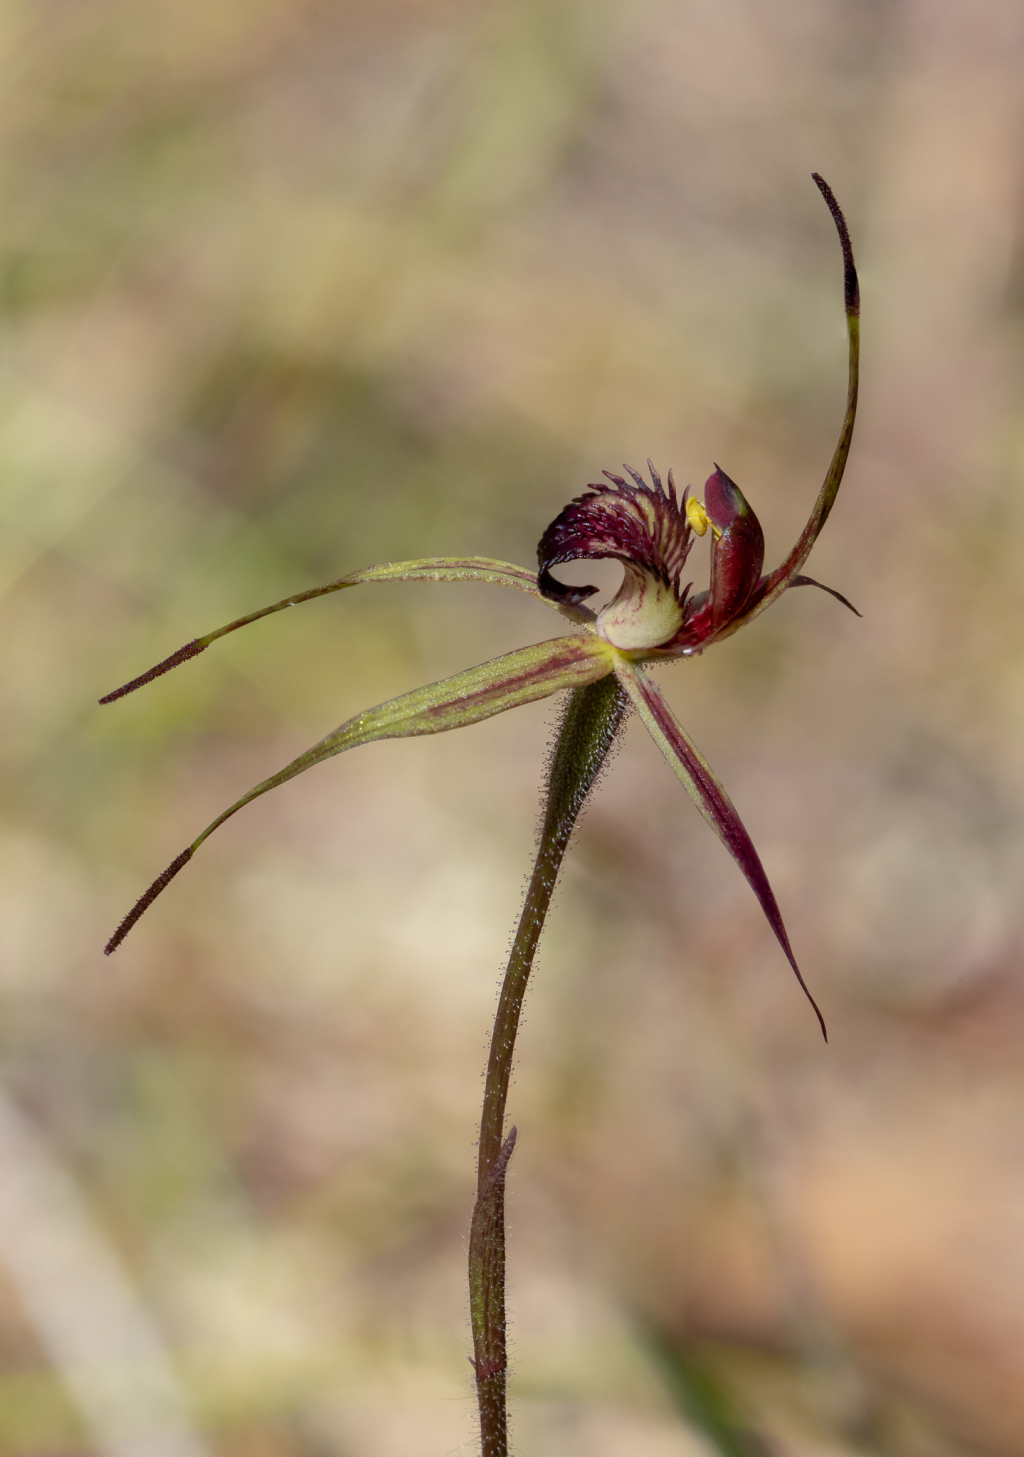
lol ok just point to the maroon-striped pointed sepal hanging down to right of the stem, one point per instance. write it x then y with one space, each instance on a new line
710 798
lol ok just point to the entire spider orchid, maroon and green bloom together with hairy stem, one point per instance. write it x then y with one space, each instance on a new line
649 527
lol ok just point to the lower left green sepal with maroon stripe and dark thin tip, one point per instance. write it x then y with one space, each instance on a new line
505 683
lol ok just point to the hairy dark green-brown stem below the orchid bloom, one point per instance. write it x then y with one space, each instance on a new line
592 722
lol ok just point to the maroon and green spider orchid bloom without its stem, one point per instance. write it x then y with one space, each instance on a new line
653 618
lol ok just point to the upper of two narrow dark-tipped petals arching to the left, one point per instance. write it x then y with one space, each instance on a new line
425 569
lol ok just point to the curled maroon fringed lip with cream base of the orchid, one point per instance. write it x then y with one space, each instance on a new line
643 527
